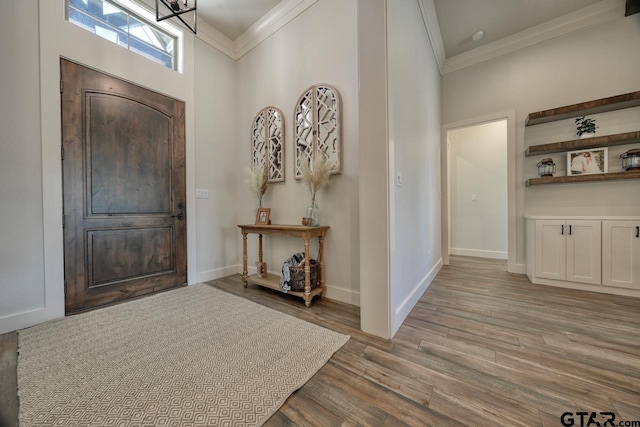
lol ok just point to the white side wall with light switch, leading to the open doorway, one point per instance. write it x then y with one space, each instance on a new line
414 150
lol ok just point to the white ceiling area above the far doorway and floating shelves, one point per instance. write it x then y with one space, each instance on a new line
460 19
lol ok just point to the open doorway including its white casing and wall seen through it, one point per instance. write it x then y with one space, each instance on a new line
483 196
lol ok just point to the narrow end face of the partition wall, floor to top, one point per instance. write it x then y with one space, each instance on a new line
375 317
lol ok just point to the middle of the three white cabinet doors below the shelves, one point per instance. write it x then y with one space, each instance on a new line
584 251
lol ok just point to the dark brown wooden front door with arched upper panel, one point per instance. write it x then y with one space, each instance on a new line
124 189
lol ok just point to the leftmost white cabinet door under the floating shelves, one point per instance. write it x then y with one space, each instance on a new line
550 249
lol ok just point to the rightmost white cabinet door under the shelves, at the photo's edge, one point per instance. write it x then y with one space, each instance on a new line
621 254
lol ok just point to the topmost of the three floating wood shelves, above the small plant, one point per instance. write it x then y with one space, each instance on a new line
612 103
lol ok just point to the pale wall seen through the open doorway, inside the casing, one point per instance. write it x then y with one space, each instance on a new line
478 166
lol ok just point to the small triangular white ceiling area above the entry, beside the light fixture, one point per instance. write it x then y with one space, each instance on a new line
233 17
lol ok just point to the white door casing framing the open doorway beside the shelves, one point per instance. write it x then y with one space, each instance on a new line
510 117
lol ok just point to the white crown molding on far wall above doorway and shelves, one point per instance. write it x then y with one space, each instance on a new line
596 14
